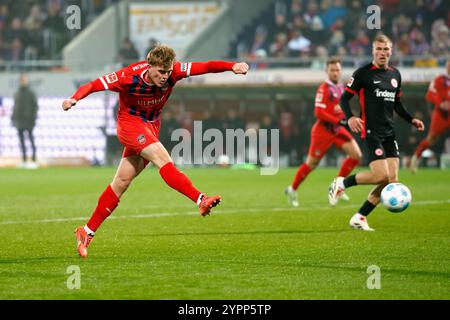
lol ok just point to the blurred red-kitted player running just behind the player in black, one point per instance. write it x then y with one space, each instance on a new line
327 131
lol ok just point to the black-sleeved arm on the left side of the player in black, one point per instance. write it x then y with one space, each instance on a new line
355 123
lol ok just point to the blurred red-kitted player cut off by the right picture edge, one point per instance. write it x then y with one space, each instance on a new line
439 95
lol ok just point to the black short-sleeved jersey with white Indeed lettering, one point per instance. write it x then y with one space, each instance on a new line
377 89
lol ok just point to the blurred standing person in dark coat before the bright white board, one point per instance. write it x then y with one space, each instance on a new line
24 118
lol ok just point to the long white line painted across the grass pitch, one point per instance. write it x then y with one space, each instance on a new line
171 214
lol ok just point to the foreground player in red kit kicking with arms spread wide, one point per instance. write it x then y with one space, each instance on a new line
144 88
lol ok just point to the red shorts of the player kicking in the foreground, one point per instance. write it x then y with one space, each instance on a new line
135 134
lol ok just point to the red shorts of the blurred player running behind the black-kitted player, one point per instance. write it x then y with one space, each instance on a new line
322 139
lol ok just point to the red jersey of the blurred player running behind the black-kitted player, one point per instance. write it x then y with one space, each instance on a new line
327 109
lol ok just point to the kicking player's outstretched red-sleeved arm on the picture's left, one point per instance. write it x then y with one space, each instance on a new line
111 82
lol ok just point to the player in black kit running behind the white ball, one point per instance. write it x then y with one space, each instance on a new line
379 88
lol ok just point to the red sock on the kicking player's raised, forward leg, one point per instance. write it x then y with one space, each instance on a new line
178 181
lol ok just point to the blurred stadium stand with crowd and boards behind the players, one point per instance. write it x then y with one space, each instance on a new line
278 93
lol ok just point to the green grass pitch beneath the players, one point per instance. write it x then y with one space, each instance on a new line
253 246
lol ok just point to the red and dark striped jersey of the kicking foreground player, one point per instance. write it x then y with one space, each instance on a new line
141 99
